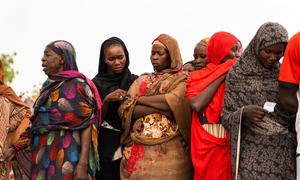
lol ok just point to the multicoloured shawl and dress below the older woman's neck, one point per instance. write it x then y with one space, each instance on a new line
68 103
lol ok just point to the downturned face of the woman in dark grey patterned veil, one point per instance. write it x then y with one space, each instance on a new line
270 56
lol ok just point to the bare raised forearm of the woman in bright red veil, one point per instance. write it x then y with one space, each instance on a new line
200 101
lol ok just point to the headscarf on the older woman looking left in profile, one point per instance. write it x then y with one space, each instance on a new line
66 50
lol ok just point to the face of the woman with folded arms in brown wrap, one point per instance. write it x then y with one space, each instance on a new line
160 58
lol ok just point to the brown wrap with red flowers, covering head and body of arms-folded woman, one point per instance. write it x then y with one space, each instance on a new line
153 158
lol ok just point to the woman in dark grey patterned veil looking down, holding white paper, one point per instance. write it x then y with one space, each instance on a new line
262 142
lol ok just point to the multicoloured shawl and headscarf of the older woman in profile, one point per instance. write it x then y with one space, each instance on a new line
74 116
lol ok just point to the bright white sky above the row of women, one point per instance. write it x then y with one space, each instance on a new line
28 26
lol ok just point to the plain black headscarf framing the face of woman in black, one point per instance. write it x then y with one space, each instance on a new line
105 82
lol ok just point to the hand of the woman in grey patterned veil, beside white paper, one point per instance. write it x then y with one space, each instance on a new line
254 113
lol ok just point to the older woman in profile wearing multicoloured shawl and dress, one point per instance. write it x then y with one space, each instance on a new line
65 120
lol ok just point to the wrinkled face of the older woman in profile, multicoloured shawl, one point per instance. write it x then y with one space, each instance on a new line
52 63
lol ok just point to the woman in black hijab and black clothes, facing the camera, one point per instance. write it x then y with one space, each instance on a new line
112 81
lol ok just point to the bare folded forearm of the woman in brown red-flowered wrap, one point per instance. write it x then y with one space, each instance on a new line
157 102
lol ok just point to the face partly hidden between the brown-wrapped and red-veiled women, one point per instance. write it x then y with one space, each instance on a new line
200 59
